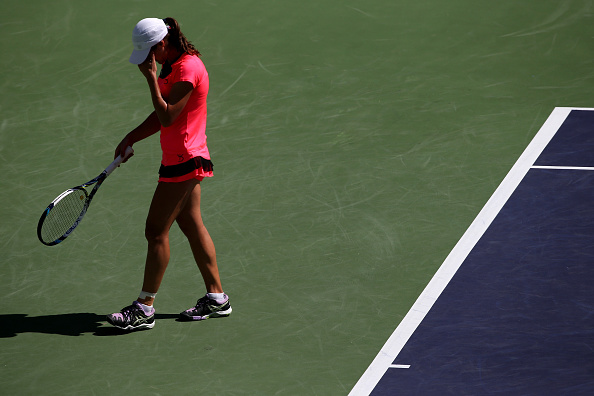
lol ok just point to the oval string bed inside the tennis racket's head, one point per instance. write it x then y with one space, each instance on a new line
63 215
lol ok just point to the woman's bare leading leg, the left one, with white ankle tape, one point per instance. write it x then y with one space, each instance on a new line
168 201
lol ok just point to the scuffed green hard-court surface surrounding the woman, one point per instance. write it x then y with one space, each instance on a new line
353 142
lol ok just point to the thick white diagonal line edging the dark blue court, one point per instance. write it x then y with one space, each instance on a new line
400 336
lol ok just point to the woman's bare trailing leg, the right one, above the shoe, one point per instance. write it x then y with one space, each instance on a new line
190 222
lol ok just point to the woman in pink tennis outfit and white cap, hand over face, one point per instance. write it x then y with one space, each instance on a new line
179 98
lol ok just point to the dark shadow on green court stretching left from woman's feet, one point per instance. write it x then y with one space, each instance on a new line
73 324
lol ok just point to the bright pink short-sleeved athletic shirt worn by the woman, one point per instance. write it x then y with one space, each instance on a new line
186 137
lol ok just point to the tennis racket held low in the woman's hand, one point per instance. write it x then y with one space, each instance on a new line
65 212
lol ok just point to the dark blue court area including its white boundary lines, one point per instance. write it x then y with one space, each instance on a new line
511 309
